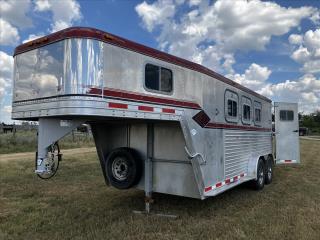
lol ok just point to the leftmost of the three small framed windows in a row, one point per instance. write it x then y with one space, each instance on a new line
231 106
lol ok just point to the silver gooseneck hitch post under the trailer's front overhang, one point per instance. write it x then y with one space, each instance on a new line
49 132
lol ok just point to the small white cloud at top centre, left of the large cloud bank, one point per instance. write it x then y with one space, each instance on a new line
156 13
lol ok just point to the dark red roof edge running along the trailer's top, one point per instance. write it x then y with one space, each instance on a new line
85 32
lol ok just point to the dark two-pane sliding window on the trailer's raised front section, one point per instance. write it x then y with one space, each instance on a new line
158 78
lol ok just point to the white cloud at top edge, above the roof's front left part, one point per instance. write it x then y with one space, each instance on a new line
65 13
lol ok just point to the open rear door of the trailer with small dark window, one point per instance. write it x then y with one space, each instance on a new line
286 133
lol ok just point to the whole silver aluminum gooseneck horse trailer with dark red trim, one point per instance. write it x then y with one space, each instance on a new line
160 123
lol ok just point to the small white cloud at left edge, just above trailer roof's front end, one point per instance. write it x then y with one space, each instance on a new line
8 34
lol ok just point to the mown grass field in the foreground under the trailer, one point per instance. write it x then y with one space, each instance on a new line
76 204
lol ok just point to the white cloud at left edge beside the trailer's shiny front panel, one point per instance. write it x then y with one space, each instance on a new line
6 69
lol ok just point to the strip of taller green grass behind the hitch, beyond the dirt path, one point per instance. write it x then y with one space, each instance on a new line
26 141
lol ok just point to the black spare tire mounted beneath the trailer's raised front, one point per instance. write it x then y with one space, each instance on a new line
123 168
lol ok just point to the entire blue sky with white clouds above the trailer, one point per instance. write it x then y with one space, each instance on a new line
270 47
